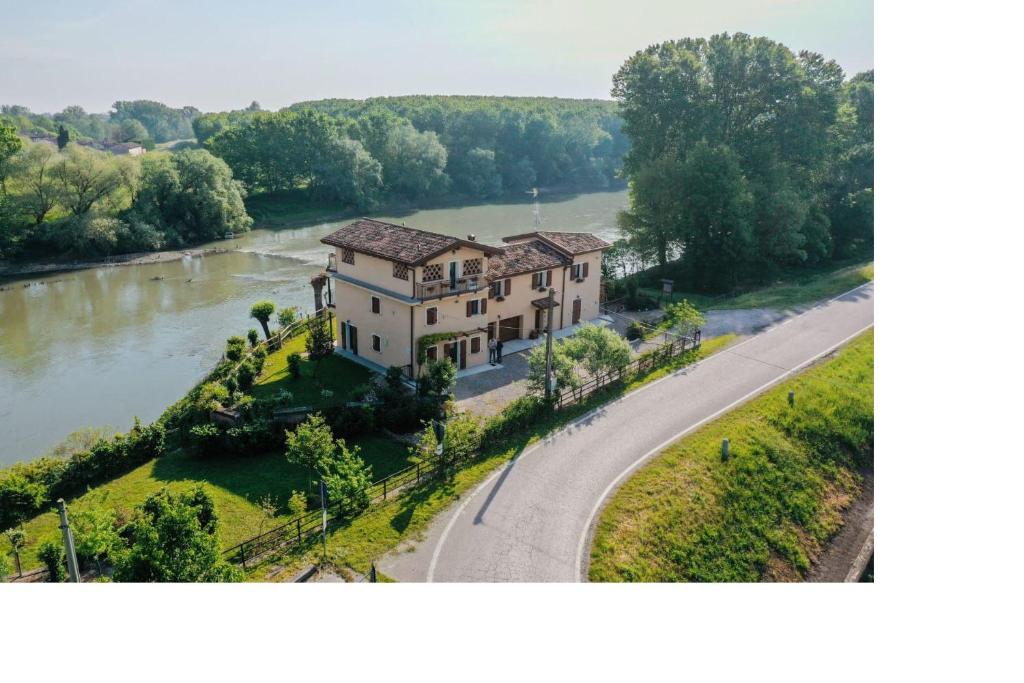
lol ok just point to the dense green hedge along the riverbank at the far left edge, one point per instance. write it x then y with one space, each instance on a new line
27 489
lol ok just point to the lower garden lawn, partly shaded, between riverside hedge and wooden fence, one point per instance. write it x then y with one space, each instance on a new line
237 486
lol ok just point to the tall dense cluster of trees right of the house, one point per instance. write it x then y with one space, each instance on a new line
746 158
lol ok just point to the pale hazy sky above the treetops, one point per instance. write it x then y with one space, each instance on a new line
223 55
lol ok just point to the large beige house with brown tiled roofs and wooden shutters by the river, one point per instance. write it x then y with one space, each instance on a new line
402 295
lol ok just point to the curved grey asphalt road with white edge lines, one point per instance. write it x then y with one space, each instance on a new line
532 520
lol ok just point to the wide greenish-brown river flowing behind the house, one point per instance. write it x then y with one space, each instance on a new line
99 348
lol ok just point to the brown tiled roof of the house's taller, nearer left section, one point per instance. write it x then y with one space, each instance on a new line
397 243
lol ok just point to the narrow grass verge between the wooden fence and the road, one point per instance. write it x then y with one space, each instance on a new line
381 530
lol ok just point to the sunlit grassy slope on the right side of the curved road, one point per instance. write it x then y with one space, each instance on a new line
767 513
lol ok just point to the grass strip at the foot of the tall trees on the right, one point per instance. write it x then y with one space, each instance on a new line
794 291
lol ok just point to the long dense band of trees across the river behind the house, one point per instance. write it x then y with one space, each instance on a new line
420 148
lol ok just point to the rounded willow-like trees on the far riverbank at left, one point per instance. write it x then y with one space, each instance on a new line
81 202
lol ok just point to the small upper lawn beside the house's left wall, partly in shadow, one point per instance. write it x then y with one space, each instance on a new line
339 375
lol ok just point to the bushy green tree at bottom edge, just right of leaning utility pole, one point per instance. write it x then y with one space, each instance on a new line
174 539
